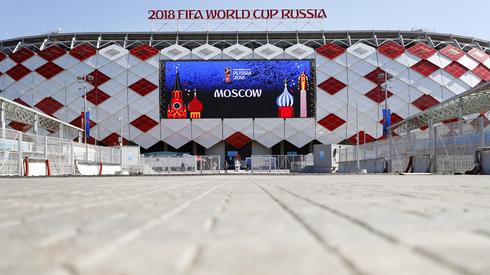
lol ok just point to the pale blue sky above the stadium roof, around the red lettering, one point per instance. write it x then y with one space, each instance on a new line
30 17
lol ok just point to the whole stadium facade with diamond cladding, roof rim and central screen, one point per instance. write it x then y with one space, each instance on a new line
144 81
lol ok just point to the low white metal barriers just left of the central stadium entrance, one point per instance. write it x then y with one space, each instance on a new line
182 164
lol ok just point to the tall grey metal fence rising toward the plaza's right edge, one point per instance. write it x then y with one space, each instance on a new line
451 147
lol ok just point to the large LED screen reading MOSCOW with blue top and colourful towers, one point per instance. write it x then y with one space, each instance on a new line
237 89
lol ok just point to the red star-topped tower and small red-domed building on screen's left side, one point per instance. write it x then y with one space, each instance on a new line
177 109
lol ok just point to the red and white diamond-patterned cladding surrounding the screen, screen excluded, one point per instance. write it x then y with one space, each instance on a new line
125 87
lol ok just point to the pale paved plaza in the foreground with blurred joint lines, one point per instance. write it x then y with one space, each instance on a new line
246 225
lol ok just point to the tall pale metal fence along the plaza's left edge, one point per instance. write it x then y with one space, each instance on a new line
61 154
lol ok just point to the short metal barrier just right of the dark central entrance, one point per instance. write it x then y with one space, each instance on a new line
278 162
